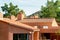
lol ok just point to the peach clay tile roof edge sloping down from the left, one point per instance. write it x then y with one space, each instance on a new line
17 23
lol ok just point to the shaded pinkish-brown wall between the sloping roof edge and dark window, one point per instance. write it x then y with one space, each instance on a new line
15 29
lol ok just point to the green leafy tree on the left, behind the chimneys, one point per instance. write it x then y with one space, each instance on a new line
10 10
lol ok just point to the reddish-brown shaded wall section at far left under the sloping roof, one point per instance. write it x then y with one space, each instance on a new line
3 31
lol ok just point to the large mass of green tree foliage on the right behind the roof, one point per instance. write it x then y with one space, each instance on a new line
51 10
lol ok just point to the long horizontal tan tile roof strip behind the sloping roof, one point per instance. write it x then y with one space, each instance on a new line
37 20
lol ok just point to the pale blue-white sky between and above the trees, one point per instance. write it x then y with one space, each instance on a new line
29 6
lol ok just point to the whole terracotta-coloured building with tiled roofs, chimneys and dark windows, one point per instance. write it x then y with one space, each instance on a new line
33 28
